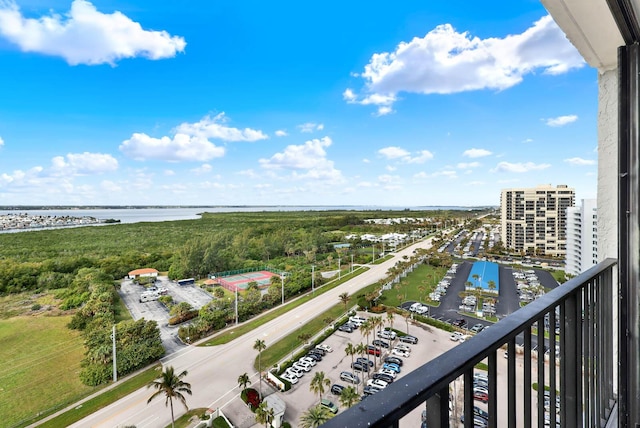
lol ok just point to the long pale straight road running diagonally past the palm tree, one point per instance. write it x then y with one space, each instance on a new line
213 372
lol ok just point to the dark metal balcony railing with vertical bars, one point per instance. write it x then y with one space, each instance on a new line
574 379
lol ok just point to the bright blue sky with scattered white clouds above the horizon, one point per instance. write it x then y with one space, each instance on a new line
289 103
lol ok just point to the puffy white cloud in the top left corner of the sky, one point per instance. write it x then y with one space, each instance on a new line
86 36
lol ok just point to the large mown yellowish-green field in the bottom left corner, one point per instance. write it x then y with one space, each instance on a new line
40 363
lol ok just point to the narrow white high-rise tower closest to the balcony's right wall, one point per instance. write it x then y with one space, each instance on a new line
582 237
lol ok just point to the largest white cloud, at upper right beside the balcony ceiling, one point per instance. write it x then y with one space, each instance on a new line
445 61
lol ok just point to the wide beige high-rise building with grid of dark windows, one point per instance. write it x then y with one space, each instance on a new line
534 220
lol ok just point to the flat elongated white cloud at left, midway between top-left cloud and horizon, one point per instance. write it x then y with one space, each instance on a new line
180 147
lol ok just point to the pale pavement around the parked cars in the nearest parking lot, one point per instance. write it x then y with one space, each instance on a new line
431 343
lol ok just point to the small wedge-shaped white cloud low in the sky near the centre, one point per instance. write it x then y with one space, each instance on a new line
307 161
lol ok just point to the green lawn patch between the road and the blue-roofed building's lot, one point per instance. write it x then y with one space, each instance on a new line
424 276
